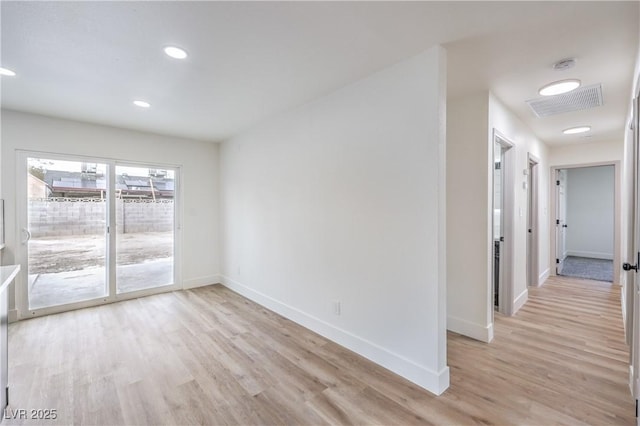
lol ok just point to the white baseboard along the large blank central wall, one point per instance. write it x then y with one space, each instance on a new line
435 382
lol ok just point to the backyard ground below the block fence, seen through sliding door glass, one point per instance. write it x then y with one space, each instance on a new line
67 269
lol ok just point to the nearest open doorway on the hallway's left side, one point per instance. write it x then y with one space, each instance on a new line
502 229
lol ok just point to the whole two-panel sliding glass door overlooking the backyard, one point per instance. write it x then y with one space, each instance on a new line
95 231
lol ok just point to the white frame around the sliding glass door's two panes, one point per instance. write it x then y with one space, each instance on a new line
21 251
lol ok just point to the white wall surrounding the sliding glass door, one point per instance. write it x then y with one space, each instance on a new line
198 160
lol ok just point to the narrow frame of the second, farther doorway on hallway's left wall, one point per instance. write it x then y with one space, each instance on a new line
533 221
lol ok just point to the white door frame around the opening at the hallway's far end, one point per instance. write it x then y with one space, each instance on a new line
617 211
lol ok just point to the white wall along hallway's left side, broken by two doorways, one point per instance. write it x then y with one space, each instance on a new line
471 121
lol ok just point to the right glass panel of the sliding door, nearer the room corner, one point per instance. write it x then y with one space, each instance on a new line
145 217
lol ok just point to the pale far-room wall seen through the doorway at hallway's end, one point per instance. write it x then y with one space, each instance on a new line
590 212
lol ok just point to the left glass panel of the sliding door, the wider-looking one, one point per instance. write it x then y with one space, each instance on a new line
66 225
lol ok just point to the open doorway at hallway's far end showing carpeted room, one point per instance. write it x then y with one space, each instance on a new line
585 220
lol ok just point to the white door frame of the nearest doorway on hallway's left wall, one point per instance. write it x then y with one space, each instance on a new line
505 296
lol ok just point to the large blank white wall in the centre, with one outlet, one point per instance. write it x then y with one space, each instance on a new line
342 199
